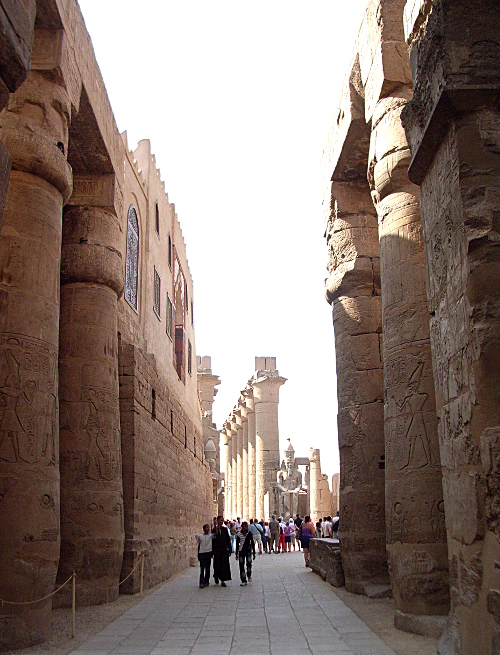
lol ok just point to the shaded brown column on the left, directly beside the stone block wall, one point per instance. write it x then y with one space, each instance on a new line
92 530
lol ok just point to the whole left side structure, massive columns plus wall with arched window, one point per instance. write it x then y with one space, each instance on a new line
101 437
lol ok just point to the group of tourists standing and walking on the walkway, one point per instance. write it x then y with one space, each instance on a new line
244 539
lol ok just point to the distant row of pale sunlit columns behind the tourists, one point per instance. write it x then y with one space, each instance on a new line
251 440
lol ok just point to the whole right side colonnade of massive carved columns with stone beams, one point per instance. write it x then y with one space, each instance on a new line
411 195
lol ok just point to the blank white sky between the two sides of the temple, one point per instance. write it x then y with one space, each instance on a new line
237 99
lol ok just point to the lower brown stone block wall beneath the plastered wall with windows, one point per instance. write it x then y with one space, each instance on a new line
167 484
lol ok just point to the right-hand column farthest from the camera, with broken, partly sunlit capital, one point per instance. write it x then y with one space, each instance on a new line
353 289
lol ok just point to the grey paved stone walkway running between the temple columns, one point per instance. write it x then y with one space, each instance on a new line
285 610
